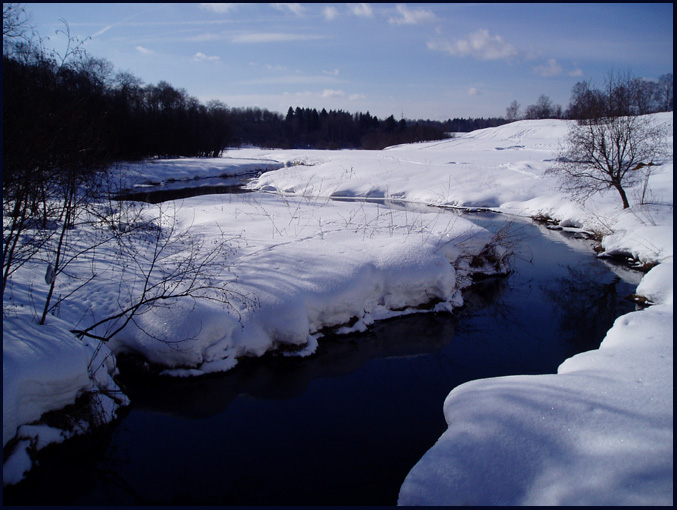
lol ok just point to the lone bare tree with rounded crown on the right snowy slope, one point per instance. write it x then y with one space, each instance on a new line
609 153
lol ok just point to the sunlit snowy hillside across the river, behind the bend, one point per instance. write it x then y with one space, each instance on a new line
503 169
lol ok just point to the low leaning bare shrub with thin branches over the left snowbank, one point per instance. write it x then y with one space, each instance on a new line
160 263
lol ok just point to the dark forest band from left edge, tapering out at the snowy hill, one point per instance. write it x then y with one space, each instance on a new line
81 105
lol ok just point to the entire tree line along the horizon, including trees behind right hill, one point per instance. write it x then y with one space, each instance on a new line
74 109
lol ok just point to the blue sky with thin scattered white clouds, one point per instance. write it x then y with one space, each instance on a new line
416 60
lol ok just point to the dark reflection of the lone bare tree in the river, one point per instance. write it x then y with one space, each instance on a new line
586 304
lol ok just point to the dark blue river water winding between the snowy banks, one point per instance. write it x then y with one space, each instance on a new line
345 426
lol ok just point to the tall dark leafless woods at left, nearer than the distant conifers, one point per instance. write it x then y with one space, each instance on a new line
65 109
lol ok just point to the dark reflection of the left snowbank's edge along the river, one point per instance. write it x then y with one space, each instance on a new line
276 377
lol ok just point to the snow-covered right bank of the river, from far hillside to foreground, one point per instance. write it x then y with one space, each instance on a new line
601 430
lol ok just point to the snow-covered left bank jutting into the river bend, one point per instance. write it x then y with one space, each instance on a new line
295 267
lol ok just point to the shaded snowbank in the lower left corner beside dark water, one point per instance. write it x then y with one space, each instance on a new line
45 368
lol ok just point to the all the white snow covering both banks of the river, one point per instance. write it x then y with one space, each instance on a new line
597 432
